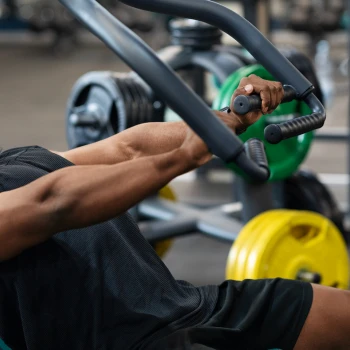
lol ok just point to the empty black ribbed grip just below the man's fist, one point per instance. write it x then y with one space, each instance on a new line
276 133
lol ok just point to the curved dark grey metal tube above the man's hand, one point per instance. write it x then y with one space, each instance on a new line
236 26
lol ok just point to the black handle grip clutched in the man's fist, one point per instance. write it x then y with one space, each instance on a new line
245 104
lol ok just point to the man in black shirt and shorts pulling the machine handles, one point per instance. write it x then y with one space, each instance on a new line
77 274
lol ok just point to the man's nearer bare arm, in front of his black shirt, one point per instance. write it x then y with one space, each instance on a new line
76 197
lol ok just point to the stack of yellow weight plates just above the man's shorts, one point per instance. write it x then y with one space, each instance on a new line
286 243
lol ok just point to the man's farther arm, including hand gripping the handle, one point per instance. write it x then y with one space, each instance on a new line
157 138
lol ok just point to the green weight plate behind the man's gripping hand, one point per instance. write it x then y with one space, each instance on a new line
286 157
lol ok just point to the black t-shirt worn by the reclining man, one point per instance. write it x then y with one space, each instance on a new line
101 287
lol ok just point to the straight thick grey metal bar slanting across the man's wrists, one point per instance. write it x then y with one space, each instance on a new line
158 75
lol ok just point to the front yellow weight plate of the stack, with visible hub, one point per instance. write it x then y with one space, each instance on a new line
319 244
